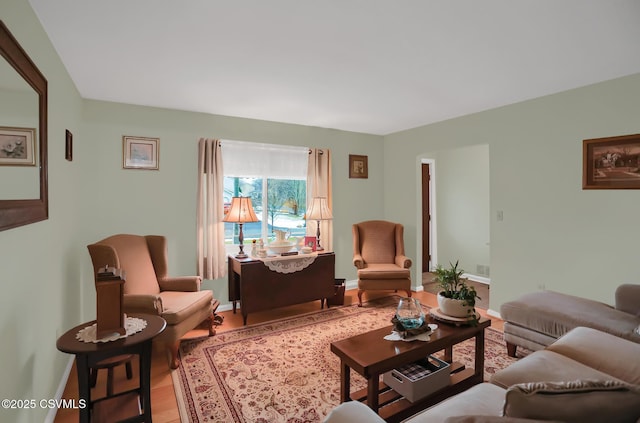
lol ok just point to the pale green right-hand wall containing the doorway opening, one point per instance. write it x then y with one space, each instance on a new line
554 234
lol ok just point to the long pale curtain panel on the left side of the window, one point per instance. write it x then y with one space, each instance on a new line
210 211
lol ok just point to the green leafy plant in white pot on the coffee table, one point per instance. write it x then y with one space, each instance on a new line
457 298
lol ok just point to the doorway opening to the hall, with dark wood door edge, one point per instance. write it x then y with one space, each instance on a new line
460 231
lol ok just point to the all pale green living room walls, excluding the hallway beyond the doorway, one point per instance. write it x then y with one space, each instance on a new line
553 233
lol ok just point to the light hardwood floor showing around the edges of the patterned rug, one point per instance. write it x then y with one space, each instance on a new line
164 408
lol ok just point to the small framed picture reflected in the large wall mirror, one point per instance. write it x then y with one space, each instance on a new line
17 146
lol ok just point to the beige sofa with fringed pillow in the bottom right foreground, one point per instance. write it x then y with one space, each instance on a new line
585 376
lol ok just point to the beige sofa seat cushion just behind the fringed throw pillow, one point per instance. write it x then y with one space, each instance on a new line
545 366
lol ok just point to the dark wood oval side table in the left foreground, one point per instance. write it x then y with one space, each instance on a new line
88 354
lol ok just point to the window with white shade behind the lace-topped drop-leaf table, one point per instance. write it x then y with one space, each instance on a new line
274 177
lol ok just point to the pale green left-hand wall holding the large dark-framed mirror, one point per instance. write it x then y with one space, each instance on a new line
40 263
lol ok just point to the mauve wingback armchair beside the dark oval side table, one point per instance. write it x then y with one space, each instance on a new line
148 288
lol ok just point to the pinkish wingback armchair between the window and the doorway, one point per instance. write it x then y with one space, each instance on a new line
378 253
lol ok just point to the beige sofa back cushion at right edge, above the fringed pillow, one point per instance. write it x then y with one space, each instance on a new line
601 351
